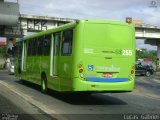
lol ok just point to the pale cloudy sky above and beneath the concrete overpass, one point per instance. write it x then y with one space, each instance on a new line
148 11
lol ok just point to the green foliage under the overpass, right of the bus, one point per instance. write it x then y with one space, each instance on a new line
146 54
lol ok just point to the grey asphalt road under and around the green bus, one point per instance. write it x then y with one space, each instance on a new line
26 101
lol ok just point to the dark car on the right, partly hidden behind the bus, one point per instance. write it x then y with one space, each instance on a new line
146 70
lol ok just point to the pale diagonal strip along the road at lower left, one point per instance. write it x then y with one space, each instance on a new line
32 101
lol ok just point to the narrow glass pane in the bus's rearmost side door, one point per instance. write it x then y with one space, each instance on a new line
57 38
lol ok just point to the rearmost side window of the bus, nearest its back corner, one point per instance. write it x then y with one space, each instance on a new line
67 42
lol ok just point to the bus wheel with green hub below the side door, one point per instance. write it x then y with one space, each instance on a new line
44 84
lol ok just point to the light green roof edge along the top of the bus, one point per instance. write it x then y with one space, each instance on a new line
73 24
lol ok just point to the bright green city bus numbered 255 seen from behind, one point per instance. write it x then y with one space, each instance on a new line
87 55
